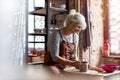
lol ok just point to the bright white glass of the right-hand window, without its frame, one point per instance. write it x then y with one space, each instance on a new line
114 16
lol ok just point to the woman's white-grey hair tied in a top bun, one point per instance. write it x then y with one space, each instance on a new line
75 17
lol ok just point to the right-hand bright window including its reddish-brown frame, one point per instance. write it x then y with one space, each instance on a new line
112 23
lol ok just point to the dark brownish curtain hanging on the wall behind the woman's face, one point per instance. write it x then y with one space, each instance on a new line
86 35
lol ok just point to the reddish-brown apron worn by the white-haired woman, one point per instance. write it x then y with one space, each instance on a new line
66 50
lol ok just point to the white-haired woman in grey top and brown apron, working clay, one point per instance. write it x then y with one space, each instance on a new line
63 43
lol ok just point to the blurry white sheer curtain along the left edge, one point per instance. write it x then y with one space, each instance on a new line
12 32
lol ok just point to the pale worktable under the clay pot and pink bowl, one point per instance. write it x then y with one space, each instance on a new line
90 75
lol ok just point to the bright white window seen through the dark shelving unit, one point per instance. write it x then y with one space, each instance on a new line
35 22
